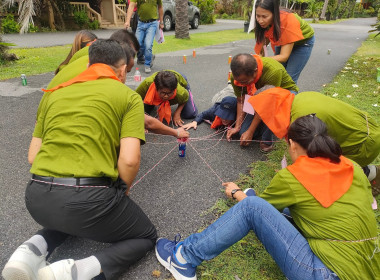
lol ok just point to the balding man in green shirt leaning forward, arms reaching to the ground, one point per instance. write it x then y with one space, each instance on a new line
248 74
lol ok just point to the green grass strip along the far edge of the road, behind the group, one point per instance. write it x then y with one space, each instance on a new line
42 60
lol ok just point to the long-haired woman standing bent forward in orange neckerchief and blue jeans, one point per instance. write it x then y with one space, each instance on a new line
291 37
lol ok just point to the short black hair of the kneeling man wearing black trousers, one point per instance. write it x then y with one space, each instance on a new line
108 52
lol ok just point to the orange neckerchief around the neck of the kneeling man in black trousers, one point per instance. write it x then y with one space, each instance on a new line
94 72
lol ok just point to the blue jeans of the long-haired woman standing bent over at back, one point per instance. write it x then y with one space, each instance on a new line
298 58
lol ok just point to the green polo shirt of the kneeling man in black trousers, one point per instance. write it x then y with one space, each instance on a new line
81 126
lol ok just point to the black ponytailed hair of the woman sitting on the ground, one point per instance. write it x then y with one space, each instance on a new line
311 133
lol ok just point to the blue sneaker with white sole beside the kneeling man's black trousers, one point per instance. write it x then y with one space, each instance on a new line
165 253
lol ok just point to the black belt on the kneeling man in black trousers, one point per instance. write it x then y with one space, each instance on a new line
83 181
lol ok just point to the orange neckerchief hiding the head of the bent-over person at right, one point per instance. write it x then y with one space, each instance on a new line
273 106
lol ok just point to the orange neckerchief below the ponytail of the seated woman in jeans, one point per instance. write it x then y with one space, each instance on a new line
325 180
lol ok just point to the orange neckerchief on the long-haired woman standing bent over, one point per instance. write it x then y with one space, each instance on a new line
290 32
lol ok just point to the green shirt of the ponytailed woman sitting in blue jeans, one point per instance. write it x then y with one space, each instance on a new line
350 218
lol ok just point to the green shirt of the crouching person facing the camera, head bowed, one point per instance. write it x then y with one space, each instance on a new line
182 94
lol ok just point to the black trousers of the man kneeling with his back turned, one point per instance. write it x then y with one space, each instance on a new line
100 214
